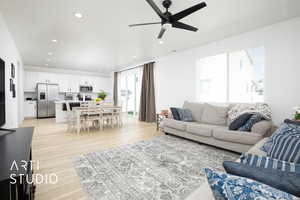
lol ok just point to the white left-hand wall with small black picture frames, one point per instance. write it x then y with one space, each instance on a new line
9 53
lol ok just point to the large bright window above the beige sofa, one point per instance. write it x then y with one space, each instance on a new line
232 77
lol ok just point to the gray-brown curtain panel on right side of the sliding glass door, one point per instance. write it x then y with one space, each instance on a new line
147 104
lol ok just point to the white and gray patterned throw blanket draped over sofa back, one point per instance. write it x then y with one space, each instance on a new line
242 108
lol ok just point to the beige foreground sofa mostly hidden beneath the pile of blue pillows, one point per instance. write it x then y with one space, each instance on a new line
204 191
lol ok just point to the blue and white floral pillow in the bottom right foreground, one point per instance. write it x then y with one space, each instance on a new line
229 187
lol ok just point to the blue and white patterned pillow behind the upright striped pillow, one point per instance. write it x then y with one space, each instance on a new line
284 129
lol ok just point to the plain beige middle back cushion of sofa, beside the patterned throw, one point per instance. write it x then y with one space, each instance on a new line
216 115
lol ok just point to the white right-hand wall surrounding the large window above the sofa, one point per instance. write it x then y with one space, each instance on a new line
176 79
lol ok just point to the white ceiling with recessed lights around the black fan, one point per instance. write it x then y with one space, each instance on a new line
102 40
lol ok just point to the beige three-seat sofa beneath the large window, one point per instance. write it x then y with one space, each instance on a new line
210 126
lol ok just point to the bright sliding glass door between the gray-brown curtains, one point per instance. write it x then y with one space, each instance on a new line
130 90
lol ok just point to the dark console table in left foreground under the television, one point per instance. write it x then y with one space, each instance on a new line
15 148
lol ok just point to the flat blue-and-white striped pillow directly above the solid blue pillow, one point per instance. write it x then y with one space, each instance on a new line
269 163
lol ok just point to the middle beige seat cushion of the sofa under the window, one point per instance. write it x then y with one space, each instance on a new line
200 129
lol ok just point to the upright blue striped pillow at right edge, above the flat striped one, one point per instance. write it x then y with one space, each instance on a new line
286 148
